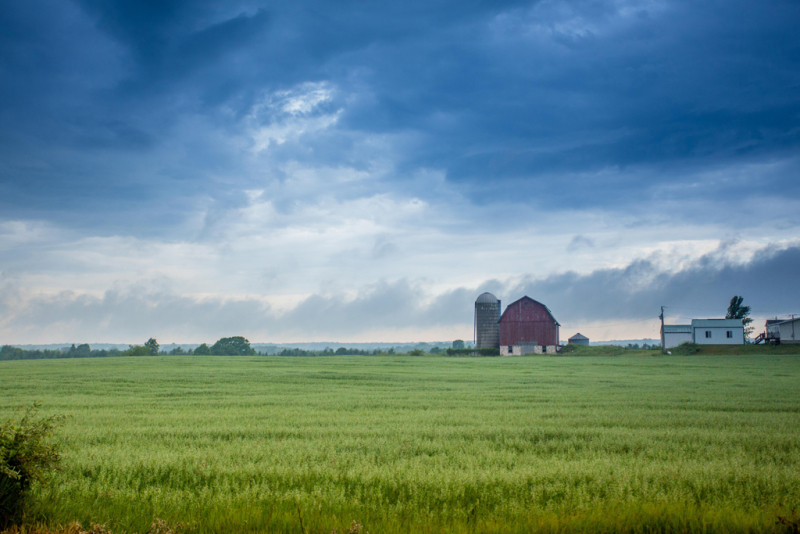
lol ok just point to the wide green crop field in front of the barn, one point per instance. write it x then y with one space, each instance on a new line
637 443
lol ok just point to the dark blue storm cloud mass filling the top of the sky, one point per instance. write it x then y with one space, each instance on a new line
119 106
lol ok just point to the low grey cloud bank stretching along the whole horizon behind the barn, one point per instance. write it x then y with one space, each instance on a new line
703 289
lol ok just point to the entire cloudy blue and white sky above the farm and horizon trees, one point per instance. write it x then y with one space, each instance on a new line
362 171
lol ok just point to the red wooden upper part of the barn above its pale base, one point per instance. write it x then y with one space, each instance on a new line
527 322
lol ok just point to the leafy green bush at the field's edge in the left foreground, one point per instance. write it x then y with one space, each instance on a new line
27 455
